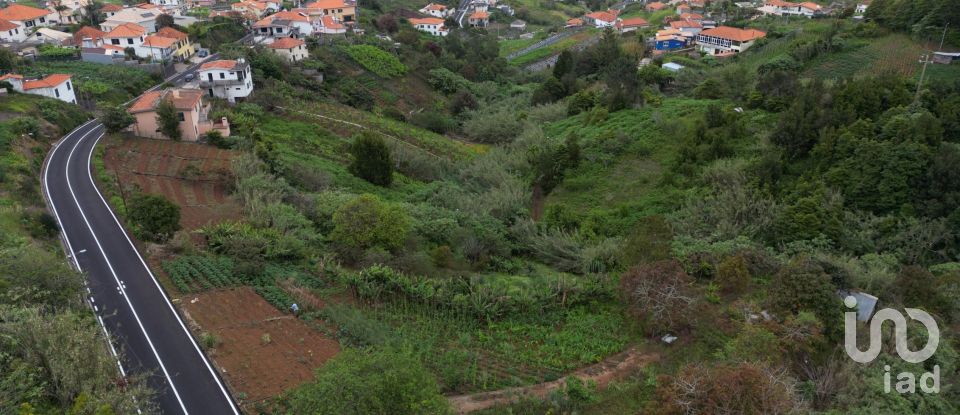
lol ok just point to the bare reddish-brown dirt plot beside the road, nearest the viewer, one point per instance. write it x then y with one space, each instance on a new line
240 318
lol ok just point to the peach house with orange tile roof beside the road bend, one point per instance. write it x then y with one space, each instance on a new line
192 110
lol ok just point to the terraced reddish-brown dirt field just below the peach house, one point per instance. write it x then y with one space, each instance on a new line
157 166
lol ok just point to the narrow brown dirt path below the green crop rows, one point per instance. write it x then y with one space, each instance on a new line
613 368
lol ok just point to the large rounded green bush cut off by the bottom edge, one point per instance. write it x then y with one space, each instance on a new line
378 382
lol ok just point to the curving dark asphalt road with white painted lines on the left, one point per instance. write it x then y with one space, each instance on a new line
127 298
